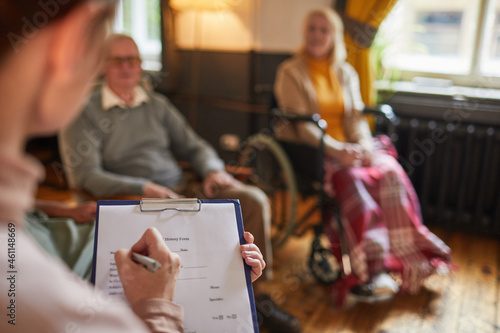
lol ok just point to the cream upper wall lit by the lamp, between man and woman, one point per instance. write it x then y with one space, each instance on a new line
253 25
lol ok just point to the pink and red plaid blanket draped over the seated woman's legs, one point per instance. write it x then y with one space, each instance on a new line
382 223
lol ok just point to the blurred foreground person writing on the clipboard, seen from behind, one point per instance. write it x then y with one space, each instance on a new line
50 52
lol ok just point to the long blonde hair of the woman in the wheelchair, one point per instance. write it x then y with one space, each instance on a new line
338 53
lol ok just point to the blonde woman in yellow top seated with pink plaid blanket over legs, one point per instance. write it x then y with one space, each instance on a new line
381 227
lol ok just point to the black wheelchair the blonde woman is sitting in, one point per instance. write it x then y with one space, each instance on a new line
292 173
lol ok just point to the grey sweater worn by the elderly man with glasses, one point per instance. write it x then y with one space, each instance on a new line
117 151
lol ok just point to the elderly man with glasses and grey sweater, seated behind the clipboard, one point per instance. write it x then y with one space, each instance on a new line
128 140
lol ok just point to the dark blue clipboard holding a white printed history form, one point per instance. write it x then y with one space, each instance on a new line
214 284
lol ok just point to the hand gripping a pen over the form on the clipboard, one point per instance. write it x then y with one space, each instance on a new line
139 283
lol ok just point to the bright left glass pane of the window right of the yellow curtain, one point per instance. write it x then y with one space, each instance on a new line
431 36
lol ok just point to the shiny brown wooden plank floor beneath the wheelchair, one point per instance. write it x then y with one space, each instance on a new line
465 301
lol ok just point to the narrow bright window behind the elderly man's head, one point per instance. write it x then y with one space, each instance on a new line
141 19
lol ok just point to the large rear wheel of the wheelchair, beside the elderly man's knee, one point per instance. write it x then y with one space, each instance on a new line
273 173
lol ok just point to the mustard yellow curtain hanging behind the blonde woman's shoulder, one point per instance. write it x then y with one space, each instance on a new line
372 13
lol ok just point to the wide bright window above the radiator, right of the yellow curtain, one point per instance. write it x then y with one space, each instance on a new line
456 40
